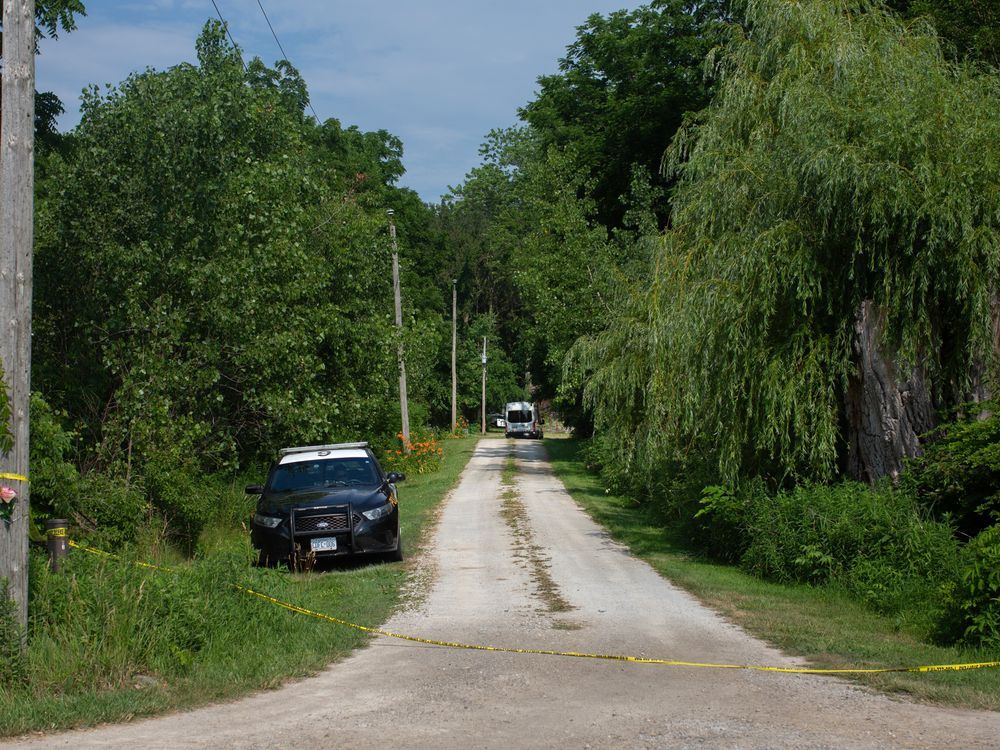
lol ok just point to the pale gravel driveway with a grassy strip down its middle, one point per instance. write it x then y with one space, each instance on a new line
533 571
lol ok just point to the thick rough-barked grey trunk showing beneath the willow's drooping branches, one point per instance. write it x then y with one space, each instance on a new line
886 413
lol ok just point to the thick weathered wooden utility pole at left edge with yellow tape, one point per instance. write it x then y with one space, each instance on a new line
17 185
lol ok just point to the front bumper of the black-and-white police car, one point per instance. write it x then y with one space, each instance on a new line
354 533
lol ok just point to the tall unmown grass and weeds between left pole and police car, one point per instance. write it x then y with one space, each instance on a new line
110 621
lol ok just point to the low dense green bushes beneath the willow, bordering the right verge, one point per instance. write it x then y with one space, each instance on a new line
876 542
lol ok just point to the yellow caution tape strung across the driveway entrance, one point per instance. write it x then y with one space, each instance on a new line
575 654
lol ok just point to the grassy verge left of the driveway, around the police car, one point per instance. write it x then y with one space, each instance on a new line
141 642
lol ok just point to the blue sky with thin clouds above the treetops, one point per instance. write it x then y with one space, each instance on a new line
439 74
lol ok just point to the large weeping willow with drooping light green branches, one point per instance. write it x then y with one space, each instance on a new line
830 280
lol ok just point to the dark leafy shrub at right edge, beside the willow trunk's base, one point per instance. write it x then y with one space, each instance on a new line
959 473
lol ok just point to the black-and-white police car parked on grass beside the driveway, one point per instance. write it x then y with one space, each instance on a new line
326 501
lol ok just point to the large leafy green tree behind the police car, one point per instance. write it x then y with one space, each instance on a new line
215 264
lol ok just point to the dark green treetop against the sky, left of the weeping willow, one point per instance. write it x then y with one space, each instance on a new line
621 92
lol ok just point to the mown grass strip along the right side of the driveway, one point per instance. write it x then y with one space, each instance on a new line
824 625
